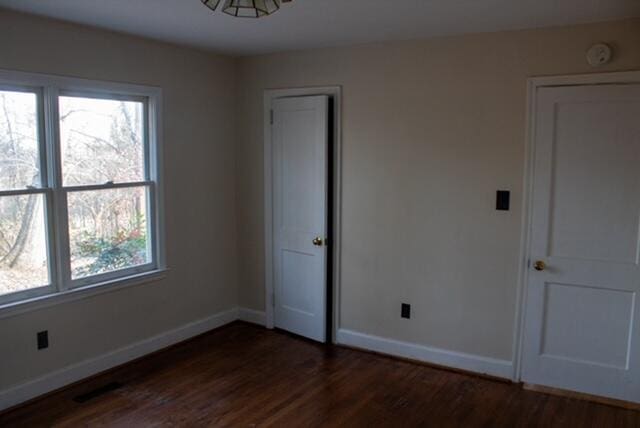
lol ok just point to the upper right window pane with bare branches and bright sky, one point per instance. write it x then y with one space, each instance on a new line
101 140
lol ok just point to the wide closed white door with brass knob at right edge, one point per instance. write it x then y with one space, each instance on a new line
582 327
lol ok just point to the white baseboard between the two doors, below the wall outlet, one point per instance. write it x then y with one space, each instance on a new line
458 360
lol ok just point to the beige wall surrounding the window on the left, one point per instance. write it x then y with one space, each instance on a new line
199 95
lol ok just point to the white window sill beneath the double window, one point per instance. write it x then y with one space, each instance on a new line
53 299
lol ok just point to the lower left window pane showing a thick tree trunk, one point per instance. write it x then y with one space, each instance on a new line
23 243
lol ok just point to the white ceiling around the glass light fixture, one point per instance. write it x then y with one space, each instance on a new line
306 24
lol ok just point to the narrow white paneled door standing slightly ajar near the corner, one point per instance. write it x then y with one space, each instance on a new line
300 134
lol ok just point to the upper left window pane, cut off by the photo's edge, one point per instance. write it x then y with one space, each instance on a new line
19 162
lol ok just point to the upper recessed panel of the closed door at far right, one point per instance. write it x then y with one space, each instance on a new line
586 168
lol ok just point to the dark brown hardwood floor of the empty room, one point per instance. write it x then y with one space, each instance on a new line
243 375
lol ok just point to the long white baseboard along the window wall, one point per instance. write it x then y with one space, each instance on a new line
75 372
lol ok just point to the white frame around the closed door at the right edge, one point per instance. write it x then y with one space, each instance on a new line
624 77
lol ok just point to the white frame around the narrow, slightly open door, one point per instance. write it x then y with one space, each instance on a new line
335 92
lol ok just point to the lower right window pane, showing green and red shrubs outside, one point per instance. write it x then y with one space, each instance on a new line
108 230
